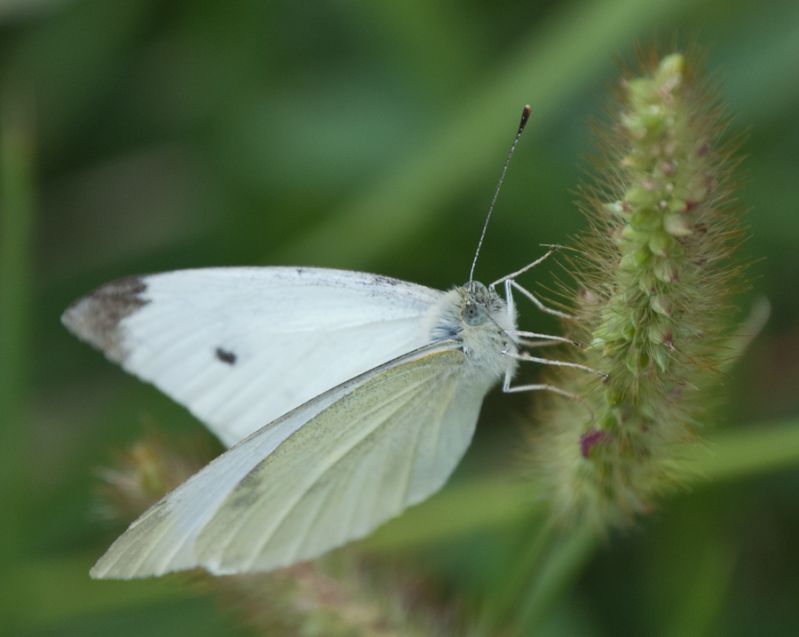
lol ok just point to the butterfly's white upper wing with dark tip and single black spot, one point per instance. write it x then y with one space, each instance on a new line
241 346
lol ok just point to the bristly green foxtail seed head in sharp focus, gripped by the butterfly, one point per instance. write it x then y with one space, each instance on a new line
654 283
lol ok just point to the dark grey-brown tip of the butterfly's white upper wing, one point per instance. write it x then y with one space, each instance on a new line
95 318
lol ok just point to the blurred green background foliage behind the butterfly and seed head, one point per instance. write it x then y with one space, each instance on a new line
142 136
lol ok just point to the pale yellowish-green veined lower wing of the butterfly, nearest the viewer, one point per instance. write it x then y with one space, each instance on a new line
330 471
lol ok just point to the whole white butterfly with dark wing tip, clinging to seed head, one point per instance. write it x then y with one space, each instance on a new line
343 399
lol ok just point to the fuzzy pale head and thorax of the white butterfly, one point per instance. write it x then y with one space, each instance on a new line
479 319
